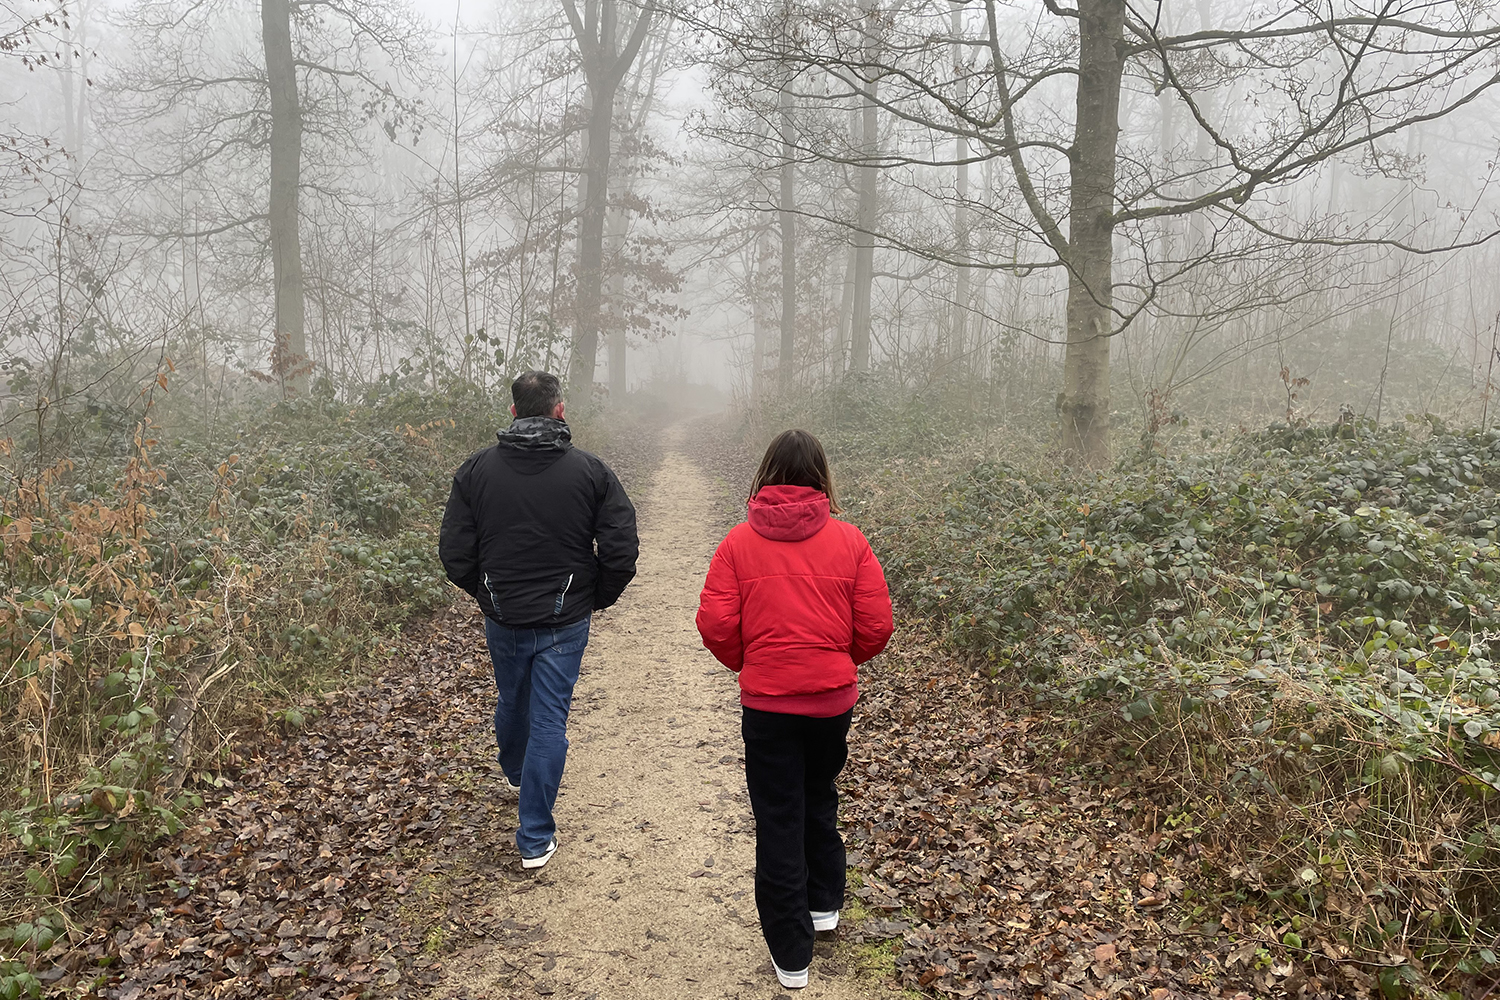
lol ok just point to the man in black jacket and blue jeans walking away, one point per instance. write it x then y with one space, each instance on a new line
542 536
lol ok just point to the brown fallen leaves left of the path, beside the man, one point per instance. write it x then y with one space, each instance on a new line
344 858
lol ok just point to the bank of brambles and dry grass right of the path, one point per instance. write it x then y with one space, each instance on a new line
1286 644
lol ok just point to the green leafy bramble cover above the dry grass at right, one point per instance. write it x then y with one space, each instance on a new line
1370 566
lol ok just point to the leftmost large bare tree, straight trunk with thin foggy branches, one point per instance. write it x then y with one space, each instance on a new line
256 134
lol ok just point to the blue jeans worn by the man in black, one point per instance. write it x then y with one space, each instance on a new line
535 675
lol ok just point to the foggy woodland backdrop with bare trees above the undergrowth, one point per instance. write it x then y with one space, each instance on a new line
259 202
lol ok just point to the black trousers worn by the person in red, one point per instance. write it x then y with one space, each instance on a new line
791 764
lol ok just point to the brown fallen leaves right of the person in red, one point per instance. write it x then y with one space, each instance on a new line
998 867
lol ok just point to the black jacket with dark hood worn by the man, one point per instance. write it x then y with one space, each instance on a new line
541 533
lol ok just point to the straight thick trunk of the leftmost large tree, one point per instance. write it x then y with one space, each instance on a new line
290 344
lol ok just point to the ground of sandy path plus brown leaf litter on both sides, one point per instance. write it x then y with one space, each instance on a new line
370 855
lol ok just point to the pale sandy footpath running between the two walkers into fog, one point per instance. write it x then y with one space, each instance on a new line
650 893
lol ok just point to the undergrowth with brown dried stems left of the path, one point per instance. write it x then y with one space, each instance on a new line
173 593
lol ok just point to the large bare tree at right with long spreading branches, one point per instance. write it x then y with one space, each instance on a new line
1318 85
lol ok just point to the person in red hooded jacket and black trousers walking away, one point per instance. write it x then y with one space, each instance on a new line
794 602
